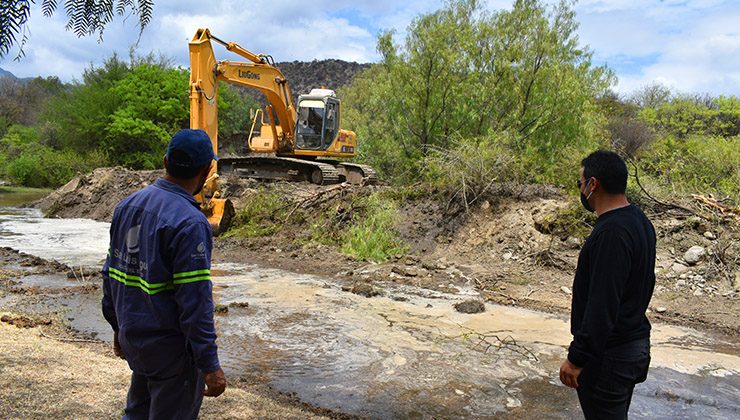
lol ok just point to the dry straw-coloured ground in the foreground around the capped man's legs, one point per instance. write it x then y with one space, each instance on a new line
41 377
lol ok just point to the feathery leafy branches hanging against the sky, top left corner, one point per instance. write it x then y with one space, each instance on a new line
86 17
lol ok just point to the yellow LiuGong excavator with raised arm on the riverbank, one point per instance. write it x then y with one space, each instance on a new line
290 142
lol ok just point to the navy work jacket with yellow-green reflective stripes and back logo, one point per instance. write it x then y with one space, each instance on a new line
157 291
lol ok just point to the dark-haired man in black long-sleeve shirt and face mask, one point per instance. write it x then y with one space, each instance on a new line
614 282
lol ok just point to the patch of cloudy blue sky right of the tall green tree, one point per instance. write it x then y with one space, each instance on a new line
690 46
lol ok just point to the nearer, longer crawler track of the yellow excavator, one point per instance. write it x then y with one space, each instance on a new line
276 167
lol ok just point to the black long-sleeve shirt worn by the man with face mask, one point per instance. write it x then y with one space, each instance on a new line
613 285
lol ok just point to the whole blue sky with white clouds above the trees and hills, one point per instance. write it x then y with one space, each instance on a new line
691 46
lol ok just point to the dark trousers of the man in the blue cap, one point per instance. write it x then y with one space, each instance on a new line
175 394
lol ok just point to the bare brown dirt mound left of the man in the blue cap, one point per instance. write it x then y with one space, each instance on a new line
95 195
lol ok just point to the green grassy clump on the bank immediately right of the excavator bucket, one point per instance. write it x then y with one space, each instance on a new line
263 215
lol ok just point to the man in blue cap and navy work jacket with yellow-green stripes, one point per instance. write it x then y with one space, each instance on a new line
157 288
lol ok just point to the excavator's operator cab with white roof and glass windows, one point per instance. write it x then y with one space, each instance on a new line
318 120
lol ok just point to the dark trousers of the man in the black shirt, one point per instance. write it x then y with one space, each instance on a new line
605 386
